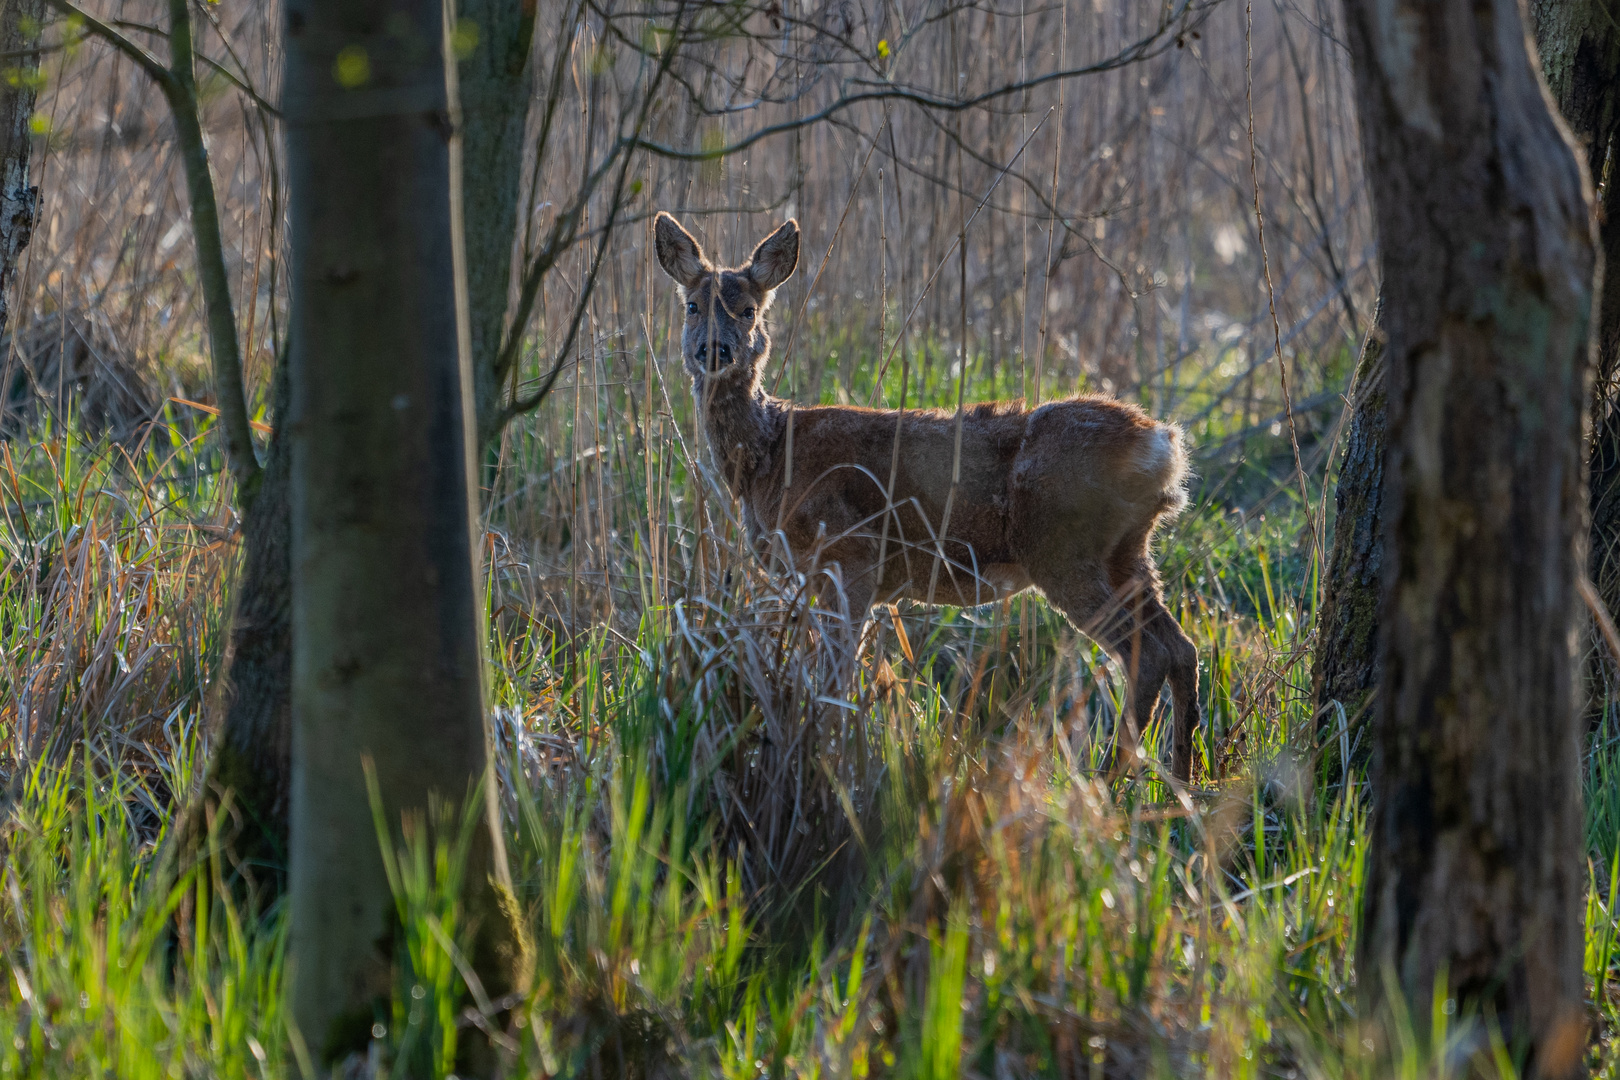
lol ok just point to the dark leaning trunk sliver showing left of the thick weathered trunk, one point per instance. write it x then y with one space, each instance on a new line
1347 658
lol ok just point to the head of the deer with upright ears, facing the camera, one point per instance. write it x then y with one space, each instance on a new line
725 336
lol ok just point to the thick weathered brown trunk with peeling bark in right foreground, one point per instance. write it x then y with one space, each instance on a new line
1475 862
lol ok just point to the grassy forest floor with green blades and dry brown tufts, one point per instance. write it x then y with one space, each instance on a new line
735 859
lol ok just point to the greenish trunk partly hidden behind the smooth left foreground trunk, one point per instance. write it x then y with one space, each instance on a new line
497 82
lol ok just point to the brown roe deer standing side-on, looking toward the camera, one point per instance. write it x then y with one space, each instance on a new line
940 508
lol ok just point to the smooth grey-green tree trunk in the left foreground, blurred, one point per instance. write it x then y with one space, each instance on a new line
386 661
